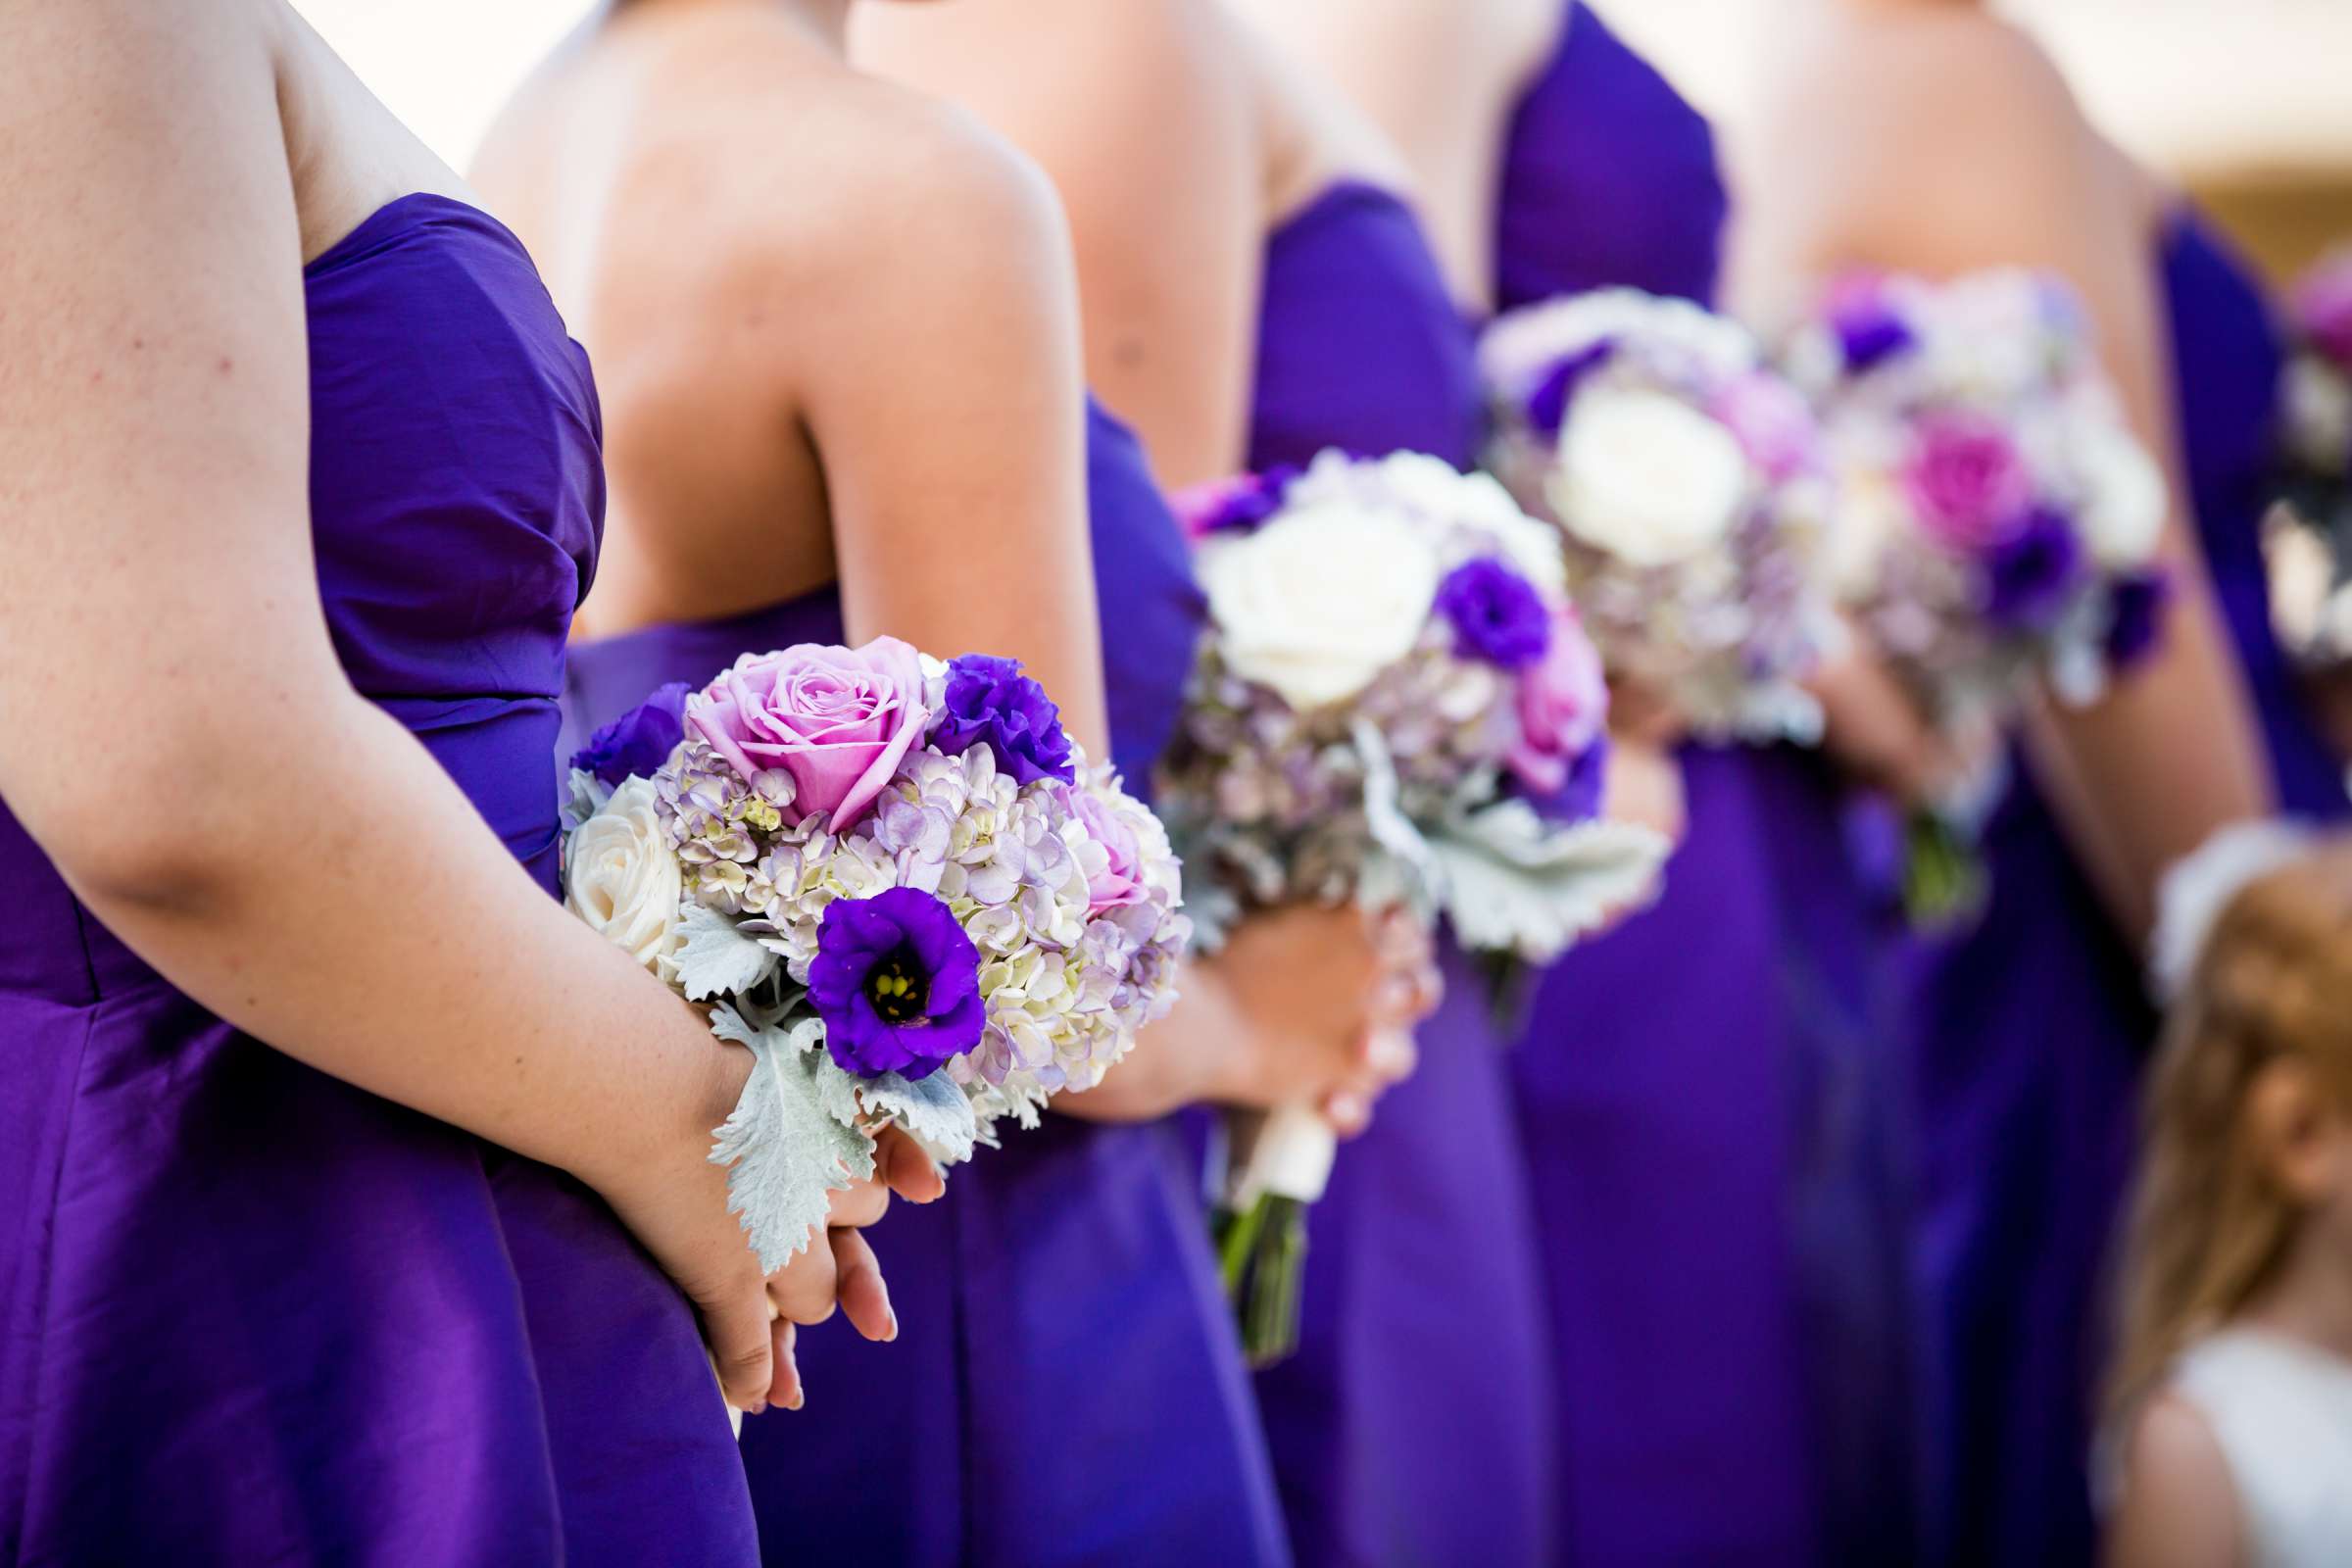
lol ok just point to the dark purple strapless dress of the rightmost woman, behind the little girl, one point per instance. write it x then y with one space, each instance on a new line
2036 1026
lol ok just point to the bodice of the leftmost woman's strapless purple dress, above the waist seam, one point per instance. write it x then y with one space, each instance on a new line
455 507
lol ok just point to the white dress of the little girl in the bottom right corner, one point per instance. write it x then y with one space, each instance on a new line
2283 1414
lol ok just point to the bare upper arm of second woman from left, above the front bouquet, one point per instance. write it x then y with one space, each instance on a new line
949 415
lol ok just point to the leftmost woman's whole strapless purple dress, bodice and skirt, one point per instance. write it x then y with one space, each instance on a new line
250 1313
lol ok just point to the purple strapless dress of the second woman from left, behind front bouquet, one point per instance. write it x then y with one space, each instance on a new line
1067 1386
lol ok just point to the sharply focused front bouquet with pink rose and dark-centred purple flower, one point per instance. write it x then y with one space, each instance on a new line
897 883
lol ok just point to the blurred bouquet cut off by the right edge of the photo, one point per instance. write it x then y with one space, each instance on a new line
2311 542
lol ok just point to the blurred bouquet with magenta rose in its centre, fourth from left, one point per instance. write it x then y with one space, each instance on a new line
1996 518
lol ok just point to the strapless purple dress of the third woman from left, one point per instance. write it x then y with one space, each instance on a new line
1415 1421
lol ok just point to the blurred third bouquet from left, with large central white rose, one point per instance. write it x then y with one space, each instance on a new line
1688 481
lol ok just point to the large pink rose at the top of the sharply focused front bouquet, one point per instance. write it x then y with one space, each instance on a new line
838 721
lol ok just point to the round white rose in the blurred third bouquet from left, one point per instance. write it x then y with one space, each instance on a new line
1648 478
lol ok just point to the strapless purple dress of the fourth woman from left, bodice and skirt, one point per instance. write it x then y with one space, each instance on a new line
1711 1094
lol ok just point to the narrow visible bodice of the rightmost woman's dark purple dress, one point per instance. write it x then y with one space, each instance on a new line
2226 375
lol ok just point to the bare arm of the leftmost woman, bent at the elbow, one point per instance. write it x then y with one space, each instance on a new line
206 777
